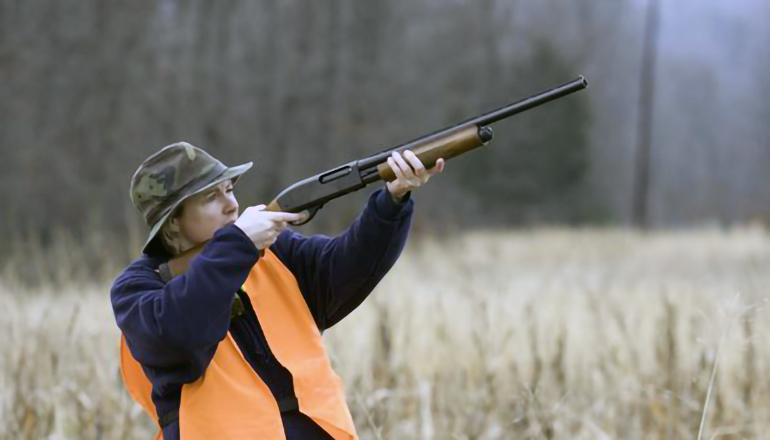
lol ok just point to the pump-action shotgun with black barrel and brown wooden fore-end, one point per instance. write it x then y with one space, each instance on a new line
313 193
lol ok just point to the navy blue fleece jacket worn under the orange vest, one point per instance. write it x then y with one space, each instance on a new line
173 329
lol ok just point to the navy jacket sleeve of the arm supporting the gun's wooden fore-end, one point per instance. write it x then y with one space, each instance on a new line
336 274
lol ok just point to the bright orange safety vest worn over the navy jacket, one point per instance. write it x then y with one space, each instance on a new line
230 400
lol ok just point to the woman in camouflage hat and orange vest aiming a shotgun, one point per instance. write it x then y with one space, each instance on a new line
232 348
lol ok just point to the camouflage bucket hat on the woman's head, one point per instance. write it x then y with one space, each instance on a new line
165 179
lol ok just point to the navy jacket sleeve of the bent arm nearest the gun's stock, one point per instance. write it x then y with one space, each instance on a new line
184 320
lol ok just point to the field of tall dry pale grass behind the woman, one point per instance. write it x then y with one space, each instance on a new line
541 334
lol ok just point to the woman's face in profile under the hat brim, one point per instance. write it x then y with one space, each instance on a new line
206 212
